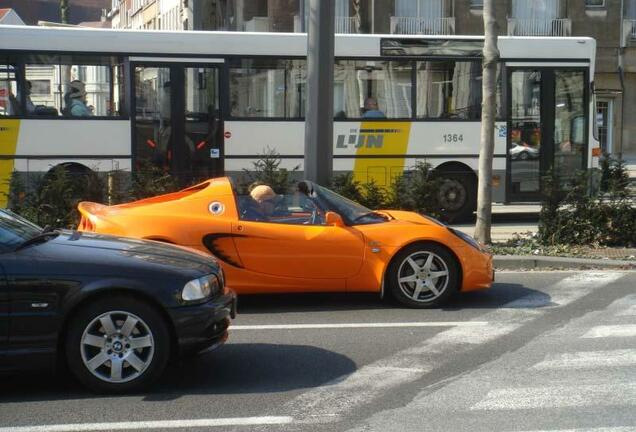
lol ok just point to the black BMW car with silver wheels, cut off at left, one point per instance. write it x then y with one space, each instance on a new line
114 309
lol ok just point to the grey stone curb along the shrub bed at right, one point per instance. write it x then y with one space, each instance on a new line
523 262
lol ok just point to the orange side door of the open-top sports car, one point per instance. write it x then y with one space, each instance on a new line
299 251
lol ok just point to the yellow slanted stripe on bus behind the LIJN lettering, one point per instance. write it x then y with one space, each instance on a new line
377 139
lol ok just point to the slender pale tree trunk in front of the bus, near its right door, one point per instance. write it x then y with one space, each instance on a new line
489 83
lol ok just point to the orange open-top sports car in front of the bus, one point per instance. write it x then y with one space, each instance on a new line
311 240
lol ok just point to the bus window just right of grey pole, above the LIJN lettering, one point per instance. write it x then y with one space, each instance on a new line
384 86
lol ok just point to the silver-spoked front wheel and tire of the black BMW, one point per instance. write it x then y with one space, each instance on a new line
98 345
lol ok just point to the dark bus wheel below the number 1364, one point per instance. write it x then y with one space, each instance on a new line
457 196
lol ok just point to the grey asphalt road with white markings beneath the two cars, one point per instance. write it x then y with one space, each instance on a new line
539 351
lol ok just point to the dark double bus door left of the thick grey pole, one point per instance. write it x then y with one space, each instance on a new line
177 123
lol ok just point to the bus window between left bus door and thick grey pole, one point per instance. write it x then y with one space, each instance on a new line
267 88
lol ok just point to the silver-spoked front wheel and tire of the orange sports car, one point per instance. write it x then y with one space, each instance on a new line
424 287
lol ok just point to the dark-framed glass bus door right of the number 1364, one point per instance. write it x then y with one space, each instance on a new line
547 128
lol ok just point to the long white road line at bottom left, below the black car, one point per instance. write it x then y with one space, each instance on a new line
154 424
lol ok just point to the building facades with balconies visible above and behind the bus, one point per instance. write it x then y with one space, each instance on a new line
611 22
